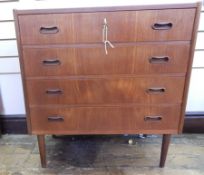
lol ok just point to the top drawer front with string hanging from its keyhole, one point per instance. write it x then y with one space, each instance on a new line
123 26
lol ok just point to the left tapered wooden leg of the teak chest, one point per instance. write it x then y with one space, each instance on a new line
42 150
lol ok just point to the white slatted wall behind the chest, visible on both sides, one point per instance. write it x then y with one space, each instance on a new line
10 79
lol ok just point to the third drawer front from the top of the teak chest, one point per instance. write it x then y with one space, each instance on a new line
147 89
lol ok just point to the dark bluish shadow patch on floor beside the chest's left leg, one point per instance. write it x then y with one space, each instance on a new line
77 151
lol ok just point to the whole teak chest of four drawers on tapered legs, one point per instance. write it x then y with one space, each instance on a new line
113 70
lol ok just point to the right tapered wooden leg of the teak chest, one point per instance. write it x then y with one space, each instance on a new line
164 149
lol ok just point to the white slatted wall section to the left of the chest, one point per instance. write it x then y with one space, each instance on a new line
10 78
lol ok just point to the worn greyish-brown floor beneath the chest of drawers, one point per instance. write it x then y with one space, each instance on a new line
101 155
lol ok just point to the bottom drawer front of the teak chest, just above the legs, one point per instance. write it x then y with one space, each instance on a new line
101 120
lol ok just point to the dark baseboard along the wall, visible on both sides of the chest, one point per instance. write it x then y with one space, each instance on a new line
16 124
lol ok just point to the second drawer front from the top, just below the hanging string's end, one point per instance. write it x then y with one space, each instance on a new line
141 59
